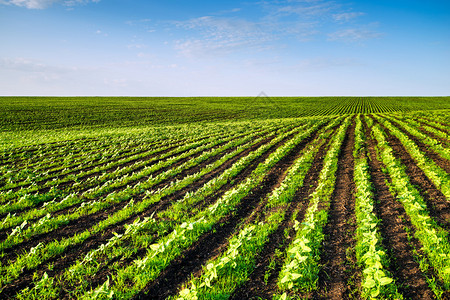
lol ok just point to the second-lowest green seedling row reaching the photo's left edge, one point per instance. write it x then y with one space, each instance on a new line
47 223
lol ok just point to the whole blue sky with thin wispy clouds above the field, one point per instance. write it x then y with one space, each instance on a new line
224 48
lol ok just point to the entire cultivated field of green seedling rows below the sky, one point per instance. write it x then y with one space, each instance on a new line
225 198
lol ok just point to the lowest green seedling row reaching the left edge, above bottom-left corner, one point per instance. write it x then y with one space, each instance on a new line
42 252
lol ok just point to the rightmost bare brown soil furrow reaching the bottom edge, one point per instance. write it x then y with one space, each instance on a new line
410 280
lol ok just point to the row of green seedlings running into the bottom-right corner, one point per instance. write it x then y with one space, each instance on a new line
433 238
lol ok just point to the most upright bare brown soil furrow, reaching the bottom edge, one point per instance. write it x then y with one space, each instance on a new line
338 265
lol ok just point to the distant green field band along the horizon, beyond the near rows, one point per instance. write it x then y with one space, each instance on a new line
21 113
